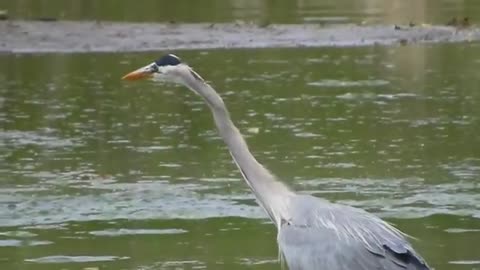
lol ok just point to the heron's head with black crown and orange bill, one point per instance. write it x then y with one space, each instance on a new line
169 68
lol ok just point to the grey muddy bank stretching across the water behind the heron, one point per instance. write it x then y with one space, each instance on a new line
67 36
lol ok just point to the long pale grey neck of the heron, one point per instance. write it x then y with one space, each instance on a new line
271 194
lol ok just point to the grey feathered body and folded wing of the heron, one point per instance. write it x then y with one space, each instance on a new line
321 235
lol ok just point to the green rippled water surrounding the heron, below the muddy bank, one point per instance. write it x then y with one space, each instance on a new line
101 173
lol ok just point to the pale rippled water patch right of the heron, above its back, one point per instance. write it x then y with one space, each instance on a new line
402 198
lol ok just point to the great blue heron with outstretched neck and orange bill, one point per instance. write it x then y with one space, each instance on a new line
312 233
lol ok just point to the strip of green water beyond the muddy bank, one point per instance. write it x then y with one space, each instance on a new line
259 12
